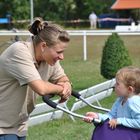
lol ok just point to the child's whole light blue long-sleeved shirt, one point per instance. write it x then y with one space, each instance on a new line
127 114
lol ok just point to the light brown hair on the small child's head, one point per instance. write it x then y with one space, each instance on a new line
130 76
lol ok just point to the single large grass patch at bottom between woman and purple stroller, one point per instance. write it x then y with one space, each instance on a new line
61 130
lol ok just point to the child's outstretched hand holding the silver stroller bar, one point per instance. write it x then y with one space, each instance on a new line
90 116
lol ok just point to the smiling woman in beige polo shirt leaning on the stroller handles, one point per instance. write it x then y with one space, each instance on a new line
27 68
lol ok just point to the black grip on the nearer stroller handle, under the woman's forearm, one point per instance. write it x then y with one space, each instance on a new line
47 100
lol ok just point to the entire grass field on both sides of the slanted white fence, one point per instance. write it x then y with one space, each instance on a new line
83 74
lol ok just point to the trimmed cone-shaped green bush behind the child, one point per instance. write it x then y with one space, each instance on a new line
114 57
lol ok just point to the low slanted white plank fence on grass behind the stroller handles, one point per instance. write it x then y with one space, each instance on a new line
43 112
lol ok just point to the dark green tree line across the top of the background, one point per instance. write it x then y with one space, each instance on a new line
58 10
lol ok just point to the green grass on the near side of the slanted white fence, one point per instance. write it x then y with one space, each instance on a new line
65 128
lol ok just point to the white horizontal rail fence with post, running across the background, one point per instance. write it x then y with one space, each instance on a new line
83 33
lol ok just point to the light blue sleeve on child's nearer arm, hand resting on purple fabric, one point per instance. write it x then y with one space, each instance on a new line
134 120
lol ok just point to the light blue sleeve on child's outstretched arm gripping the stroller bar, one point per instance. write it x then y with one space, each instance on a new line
112 113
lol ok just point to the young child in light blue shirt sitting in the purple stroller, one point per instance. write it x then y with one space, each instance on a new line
126 109
